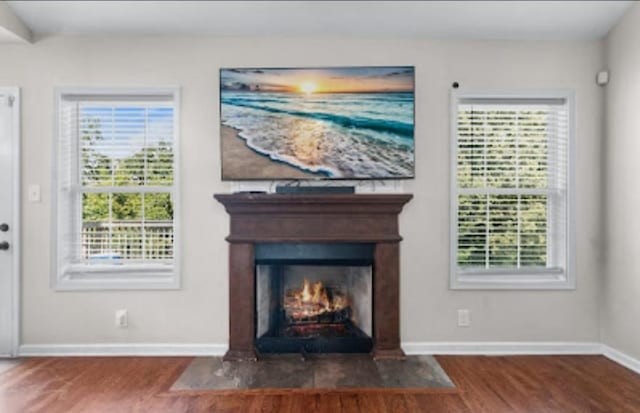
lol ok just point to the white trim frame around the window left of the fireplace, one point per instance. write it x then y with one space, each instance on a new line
146 277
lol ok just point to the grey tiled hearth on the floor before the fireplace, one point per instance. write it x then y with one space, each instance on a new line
333 371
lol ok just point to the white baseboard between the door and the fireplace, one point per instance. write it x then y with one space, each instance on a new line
121 349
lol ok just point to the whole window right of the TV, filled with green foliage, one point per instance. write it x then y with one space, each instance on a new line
511 191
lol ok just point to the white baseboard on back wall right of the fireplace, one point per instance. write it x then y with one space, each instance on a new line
502 347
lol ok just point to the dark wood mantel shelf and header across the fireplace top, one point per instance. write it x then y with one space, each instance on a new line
314 217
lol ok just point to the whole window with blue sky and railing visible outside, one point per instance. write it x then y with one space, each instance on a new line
116 188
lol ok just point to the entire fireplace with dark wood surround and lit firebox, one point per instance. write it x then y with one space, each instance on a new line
346 247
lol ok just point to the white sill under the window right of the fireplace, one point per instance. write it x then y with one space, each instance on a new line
501 281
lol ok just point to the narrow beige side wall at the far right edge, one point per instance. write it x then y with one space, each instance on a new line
621 311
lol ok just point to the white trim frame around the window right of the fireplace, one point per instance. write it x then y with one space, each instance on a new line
546 279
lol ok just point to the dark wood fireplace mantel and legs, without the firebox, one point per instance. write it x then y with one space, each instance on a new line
318 218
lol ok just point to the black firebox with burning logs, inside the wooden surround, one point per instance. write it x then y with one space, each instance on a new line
314 298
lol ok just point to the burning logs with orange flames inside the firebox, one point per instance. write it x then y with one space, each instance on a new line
312 300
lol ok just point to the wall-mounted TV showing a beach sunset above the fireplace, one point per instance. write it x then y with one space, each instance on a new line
317 123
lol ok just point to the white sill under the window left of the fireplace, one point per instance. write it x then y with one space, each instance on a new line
117 280
